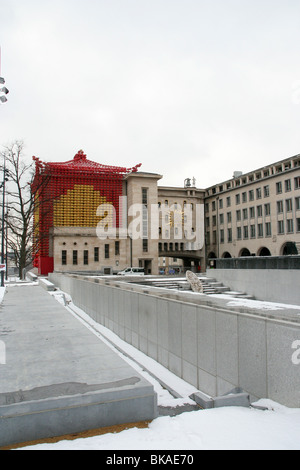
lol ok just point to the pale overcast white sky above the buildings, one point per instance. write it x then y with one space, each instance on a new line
188 88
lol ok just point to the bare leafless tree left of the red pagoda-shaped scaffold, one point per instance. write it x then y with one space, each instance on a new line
20 202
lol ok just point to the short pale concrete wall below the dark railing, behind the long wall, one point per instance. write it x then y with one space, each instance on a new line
273 285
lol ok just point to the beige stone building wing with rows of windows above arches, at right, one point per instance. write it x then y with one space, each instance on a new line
255 214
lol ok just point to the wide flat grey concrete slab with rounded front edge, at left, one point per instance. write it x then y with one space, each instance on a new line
58 377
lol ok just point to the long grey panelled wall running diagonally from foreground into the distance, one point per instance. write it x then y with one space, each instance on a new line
211 348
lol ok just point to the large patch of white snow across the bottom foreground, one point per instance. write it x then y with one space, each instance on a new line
216 429
